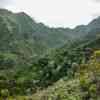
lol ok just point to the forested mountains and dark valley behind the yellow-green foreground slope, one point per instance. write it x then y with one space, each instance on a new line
32 56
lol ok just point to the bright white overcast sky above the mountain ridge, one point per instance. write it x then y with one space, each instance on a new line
56 13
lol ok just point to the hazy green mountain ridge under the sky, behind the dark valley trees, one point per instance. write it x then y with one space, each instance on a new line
24 39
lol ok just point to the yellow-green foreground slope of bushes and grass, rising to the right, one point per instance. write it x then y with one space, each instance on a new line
84 86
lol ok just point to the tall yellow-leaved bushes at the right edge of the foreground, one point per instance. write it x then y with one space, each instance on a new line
89 77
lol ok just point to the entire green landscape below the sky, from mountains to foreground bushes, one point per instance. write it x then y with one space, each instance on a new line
38 62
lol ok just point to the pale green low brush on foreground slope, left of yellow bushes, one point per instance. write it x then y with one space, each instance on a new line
62 90
